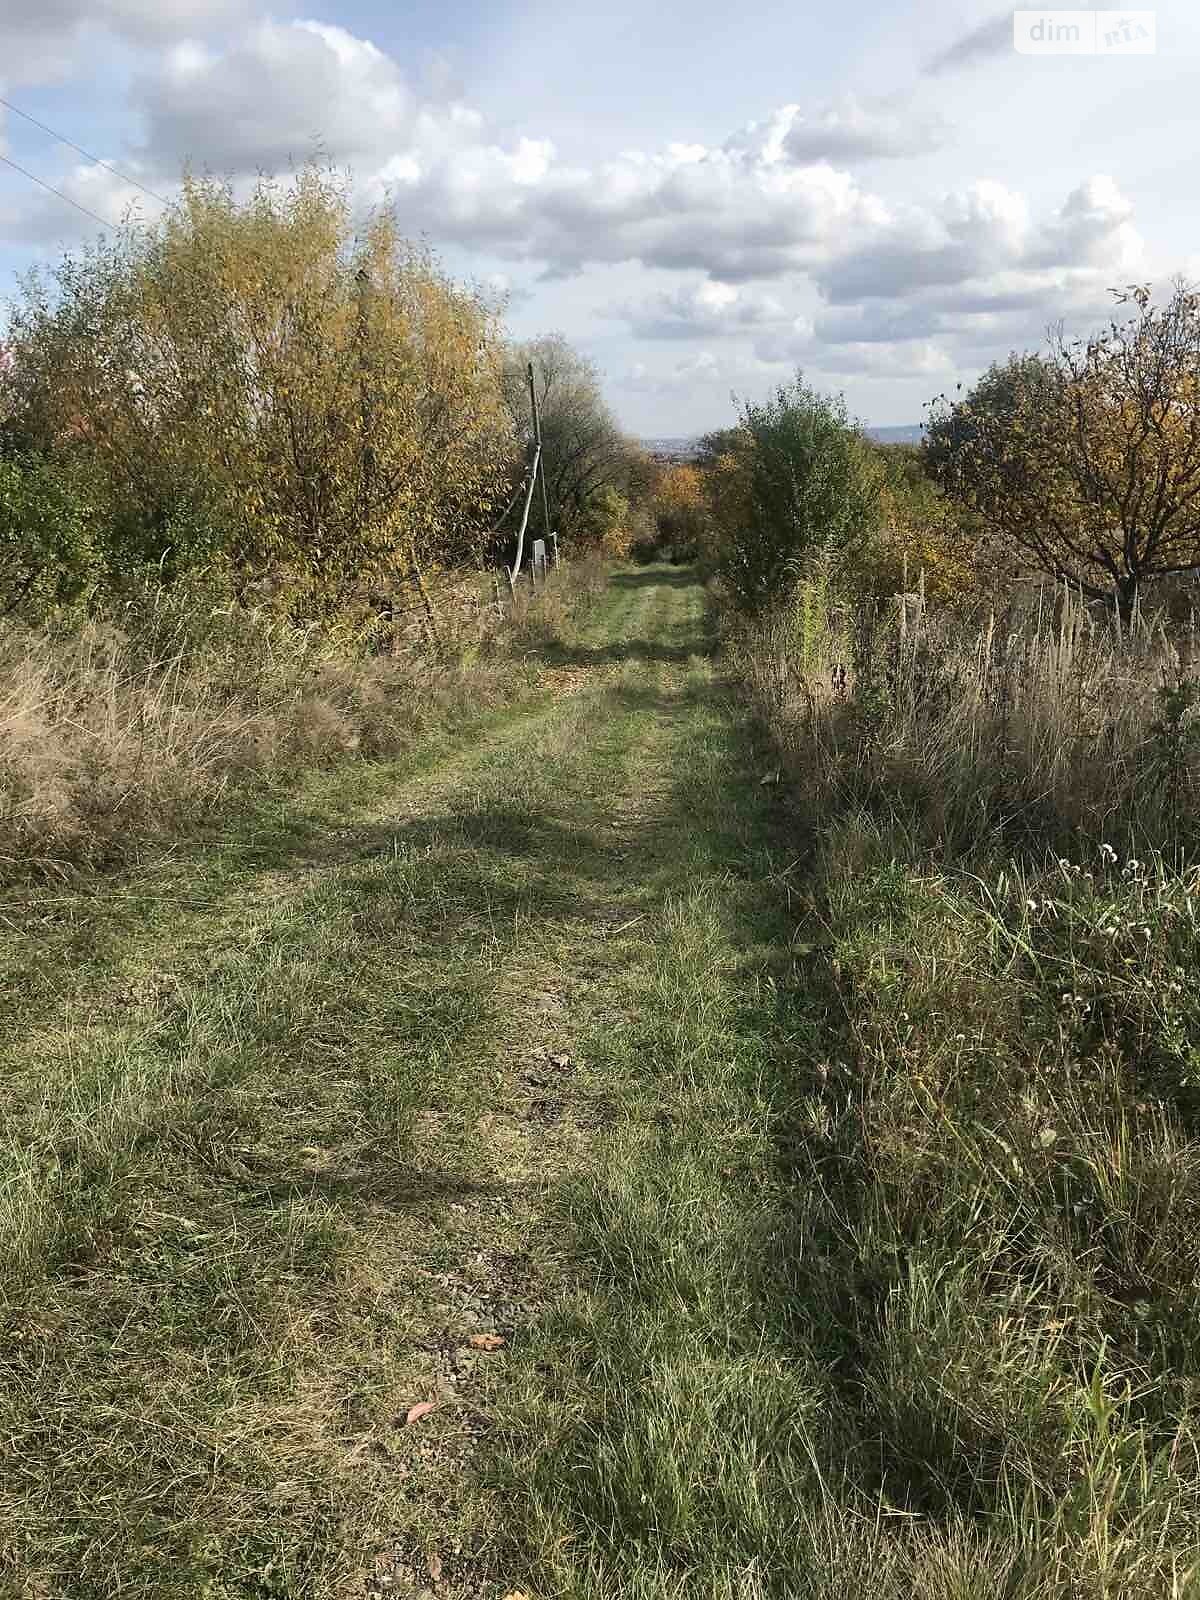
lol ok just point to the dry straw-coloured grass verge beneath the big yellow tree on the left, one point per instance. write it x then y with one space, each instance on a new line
126 734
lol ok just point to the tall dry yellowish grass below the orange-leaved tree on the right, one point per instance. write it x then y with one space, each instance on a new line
1041 724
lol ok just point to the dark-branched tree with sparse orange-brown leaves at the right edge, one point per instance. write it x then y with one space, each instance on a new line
1086 463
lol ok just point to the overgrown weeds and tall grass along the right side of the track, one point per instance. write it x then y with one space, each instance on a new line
998 1146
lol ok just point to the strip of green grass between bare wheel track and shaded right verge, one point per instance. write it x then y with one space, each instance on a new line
662 1442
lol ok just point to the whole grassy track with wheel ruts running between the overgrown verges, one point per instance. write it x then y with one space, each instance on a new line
476 1046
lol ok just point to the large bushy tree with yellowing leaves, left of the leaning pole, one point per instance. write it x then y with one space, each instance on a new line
262 386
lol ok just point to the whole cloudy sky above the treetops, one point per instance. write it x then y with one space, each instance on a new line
702 196
